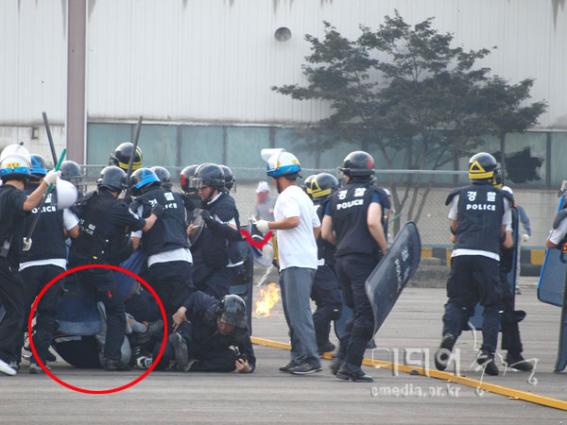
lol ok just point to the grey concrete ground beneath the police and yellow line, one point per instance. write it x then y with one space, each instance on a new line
268 396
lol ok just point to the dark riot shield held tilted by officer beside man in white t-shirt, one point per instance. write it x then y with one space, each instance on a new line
387 280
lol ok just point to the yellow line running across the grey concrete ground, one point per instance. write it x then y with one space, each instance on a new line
446 376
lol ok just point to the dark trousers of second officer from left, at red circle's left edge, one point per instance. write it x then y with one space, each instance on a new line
35 278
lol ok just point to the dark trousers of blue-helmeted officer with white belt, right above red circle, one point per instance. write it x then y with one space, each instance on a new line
173 283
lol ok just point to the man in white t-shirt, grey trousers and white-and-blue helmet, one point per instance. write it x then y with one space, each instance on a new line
297 226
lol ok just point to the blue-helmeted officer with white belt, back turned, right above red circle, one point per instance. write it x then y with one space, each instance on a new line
166 245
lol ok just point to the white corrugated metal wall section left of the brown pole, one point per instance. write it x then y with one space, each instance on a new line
33 64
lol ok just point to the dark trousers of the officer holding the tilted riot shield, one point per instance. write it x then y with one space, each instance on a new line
352 271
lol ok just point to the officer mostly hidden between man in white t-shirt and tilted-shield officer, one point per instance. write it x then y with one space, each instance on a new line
325 291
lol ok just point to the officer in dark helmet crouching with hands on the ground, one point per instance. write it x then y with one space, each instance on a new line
212 335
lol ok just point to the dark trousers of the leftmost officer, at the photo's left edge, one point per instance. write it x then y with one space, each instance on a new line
12 299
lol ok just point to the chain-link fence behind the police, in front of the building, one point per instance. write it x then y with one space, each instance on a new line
417 195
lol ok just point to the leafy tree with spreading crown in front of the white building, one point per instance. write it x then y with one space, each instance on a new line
408 93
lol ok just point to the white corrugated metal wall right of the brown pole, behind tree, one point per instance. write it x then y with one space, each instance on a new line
215 60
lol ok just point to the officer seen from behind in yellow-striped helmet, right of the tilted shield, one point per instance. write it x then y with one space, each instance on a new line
479 215
